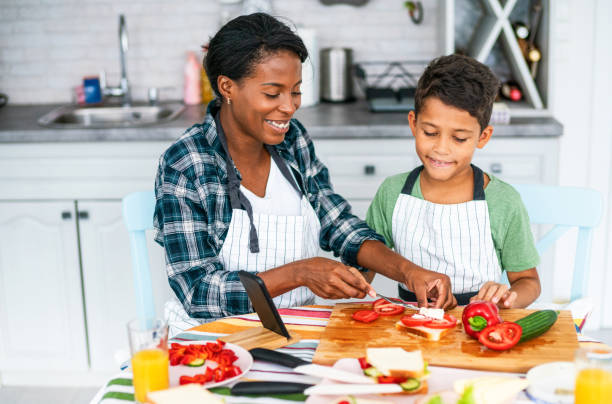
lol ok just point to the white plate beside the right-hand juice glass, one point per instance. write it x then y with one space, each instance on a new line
545 379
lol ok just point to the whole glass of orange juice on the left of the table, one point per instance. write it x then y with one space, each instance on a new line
149 349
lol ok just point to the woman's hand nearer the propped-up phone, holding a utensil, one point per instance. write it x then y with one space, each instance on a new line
331 279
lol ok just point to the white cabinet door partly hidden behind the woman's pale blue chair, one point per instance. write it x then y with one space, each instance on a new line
108 281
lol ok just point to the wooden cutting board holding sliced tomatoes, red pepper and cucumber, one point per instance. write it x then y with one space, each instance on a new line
346 338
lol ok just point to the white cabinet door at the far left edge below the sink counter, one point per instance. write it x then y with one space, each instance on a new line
41 307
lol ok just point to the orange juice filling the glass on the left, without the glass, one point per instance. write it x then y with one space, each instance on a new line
150 368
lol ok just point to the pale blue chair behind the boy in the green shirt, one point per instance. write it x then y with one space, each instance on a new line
565 208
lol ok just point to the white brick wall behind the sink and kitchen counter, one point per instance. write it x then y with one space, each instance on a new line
47 46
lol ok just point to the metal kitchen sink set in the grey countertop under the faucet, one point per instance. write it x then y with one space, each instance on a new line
74 116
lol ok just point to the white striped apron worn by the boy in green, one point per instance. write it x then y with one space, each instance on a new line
453 239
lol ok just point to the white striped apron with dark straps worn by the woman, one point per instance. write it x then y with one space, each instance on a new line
259 242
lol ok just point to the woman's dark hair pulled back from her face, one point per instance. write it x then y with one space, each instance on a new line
244 42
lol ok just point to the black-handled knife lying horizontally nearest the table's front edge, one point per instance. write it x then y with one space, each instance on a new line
267 388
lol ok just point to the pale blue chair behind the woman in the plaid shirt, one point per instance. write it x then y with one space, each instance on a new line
138 210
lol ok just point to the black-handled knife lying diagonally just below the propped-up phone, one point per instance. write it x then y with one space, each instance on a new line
307 368
